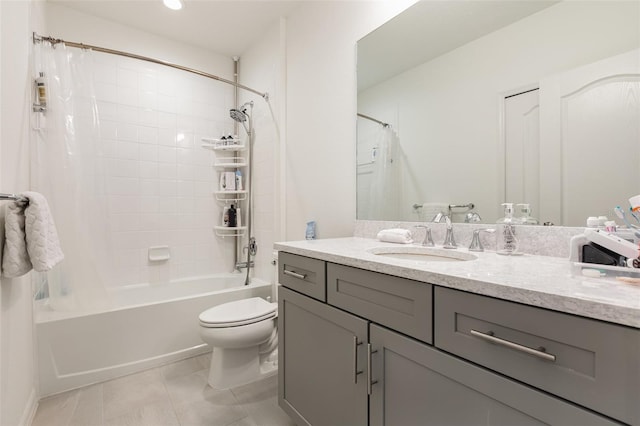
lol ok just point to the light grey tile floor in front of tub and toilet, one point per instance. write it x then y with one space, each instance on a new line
173 395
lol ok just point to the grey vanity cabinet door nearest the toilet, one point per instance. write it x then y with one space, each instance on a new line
322 357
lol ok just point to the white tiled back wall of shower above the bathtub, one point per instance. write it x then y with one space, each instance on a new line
159 179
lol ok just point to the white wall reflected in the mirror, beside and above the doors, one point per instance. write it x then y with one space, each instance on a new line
446 110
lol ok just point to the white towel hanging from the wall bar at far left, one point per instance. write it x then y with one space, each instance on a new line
31 237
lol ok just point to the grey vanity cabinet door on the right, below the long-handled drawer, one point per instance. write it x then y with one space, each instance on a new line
420 385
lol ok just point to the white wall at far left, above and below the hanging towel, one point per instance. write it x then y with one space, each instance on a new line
17 373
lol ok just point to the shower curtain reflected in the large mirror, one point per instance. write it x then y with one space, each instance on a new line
386 183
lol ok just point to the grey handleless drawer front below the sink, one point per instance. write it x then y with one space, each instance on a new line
398 303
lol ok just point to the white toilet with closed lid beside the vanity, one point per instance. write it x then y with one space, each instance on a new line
244 337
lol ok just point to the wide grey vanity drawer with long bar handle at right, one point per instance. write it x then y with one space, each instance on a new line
592 363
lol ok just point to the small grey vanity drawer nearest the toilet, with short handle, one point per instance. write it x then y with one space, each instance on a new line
303 274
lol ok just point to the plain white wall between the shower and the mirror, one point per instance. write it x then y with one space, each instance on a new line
321 111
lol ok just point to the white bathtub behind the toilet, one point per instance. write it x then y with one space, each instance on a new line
150 325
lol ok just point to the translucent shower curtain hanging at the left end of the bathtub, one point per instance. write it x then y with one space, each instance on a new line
68 168
